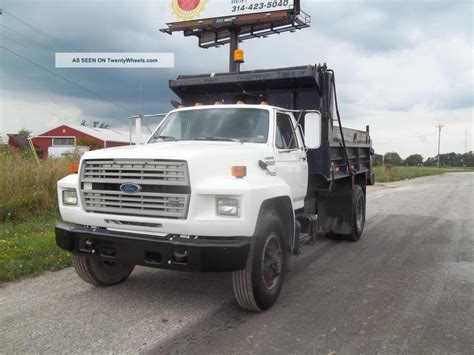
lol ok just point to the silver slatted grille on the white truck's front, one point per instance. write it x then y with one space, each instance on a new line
101 180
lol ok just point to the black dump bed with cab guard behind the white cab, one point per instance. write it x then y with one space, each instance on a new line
297 88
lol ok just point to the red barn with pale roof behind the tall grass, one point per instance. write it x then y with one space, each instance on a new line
72 136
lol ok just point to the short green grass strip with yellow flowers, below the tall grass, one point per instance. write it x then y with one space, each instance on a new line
29 249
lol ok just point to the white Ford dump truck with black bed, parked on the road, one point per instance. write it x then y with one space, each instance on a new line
222 187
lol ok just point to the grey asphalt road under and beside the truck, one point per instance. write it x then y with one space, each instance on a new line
406 286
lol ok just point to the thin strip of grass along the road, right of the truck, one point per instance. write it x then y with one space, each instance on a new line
396 173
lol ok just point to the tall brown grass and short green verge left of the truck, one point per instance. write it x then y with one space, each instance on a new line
28 209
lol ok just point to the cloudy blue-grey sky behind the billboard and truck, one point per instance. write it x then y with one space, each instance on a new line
401 66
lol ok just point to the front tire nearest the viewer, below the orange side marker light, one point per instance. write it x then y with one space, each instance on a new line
257 287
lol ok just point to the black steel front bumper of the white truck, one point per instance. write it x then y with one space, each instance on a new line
174 253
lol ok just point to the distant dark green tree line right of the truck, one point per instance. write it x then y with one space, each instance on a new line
448 159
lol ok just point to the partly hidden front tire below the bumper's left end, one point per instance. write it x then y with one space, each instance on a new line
100 273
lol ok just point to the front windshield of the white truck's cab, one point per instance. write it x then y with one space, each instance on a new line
226 124
